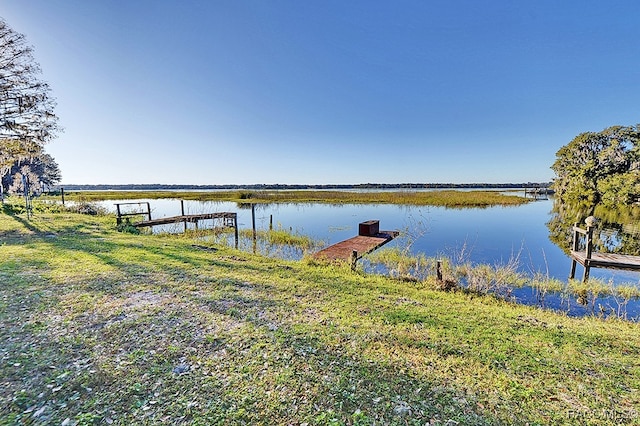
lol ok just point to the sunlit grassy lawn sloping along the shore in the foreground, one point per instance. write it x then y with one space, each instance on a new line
100 327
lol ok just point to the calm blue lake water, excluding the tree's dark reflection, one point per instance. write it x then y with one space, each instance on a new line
493 235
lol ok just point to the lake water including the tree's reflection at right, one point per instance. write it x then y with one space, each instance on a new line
536 235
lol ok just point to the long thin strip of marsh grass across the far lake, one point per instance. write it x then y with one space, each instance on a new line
434 198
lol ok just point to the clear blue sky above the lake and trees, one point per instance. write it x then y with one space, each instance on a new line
321 92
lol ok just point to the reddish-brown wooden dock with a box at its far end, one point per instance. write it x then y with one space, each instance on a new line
369 238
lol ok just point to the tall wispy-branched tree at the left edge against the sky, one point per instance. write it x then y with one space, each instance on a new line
27 118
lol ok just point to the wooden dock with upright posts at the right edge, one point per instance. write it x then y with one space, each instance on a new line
590 259
